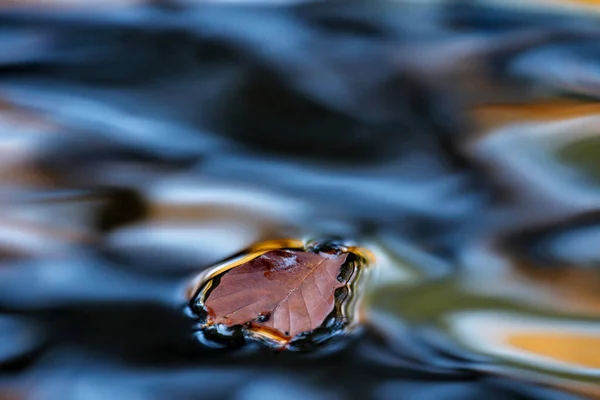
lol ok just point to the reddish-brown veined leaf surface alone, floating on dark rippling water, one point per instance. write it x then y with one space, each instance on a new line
286 291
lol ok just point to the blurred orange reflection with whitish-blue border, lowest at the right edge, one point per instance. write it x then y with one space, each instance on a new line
555 345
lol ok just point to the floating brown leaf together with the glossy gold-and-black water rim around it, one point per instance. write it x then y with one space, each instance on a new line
282 295
